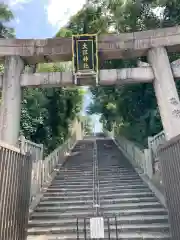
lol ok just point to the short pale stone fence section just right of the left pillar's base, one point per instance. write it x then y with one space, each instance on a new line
36 150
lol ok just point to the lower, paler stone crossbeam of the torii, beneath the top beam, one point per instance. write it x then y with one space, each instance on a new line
106 77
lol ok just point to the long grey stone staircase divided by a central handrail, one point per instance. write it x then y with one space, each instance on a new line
130 209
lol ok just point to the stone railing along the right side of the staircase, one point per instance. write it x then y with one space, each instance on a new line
143 160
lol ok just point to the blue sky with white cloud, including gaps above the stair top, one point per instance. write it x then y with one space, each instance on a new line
42 19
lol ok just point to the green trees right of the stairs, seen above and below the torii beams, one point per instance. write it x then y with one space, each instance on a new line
131 109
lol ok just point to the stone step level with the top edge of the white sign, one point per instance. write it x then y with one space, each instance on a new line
120 220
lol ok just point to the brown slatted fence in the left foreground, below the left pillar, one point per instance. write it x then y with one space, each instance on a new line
15 178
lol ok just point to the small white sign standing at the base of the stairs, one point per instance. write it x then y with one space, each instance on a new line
97 227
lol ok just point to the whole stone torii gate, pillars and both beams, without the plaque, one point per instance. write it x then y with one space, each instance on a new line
153 43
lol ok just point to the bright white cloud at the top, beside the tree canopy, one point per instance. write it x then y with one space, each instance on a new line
59 11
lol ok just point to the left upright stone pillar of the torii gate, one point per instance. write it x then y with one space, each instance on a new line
11 100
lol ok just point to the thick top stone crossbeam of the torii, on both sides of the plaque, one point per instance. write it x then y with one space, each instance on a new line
111 46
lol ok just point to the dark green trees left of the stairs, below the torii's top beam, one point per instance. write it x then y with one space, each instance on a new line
48 113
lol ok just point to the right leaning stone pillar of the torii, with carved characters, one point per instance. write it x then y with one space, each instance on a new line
166 92
